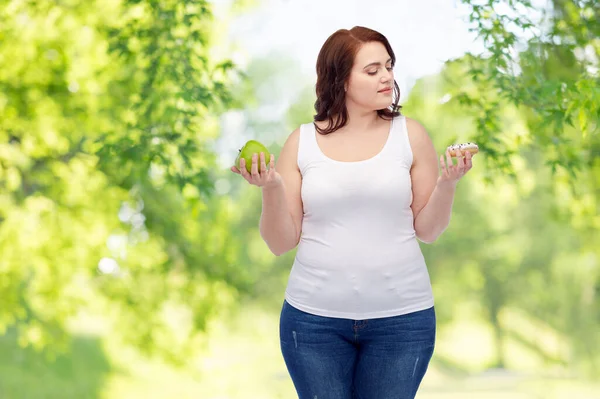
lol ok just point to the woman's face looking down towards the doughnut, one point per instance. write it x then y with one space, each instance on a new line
371 73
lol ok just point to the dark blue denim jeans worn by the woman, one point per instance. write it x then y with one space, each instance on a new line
335 358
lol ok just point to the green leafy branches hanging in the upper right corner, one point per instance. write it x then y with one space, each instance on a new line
544 61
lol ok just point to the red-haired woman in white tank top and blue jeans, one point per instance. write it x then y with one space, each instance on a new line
356 190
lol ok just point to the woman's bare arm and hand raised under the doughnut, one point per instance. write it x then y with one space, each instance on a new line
433 195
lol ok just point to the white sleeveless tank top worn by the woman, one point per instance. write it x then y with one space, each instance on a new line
358 255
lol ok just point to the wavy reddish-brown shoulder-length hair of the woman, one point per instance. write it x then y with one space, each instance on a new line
334 64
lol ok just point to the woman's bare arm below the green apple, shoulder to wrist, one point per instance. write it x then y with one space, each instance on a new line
281 218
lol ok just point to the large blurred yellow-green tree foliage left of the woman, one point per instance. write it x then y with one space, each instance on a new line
107 113
